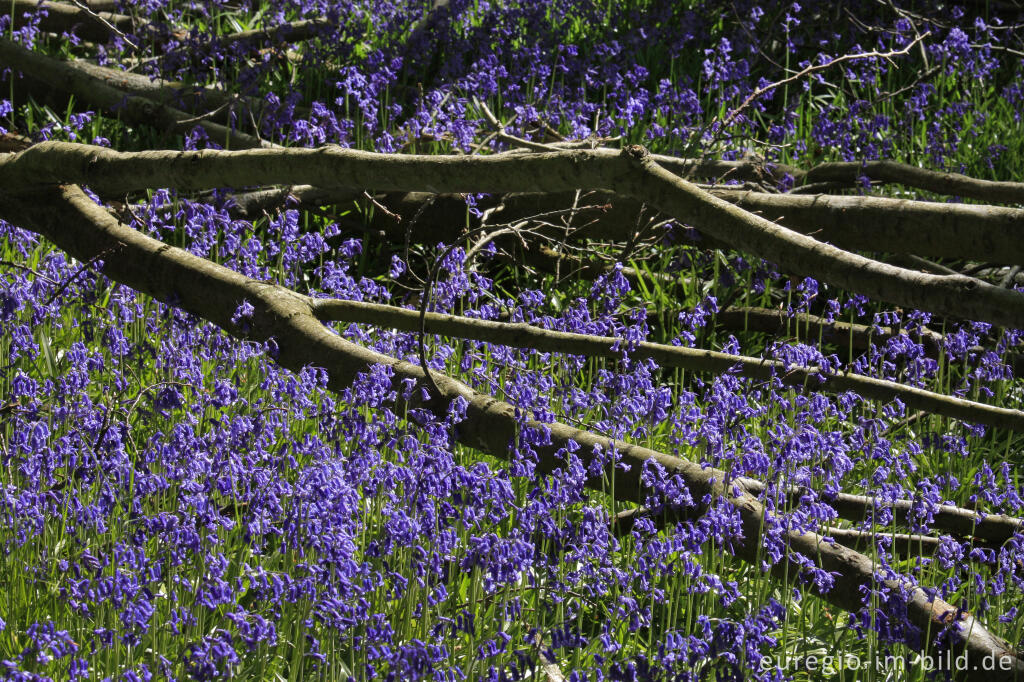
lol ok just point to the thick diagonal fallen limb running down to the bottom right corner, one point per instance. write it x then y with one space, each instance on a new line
86 231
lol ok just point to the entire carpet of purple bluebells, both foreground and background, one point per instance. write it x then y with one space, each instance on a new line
176 505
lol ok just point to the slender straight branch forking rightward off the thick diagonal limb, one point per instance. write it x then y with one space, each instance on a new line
521 335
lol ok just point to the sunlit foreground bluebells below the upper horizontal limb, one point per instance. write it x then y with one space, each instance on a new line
169 483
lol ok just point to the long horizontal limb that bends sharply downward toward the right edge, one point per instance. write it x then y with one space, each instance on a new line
632 173
